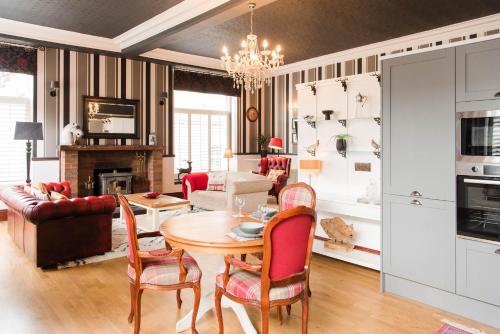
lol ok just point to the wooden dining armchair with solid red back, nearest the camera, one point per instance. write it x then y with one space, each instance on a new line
282 277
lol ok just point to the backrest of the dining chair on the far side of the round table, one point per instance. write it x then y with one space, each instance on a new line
296 194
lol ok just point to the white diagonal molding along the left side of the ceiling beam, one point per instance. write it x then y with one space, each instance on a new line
182 12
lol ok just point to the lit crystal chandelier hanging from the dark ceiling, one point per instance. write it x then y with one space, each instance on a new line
250 67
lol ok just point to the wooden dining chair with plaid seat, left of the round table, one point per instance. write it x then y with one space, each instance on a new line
161 270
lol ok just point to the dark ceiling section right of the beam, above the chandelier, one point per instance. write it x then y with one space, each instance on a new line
312 28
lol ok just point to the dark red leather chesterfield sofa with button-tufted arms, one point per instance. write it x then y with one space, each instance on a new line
50 232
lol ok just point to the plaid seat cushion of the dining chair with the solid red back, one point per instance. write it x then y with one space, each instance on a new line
246 285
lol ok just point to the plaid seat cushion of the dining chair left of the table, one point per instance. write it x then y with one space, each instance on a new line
166 271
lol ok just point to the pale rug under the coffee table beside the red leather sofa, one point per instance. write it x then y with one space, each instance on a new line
119 247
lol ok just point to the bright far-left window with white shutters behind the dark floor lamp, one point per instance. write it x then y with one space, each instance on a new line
16 101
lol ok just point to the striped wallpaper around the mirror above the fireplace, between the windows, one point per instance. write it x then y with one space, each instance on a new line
81 73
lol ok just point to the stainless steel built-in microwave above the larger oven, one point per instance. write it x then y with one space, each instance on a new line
478 136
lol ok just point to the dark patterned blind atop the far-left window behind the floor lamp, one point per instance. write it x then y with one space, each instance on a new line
15 59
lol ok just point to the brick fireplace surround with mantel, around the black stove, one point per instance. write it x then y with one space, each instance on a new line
78 163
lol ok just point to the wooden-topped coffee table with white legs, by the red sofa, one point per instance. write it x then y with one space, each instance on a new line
156 205
